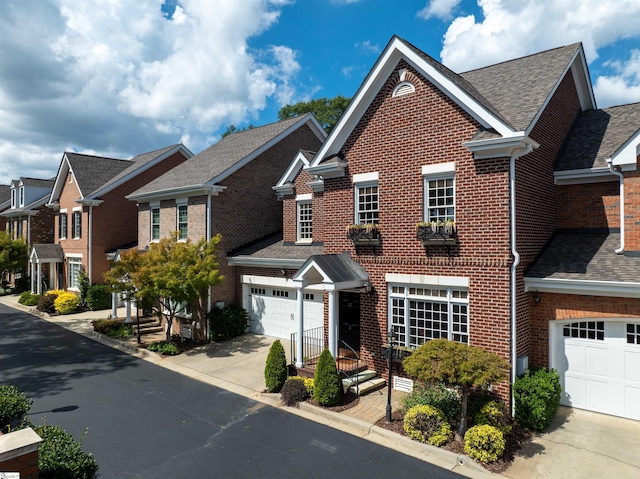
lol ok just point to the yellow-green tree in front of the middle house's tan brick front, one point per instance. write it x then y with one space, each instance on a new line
172 274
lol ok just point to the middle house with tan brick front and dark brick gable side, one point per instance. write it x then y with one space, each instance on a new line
226 189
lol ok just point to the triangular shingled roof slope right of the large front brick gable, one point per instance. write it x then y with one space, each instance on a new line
518 88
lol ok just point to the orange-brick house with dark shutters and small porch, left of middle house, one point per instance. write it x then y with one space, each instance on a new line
92 214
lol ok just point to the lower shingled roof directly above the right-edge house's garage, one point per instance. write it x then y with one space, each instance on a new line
586 257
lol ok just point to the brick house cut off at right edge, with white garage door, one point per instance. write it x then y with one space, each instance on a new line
585 288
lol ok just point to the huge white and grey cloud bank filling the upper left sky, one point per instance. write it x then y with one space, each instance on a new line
119 78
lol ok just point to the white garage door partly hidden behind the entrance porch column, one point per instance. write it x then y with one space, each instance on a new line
273 310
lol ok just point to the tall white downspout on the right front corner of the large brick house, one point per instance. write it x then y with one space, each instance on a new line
514 266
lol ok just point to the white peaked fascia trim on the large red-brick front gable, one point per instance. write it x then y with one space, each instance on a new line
384 66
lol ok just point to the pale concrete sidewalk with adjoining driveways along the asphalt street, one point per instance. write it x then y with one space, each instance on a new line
578 444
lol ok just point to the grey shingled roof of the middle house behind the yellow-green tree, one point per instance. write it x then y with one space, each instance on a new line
218 158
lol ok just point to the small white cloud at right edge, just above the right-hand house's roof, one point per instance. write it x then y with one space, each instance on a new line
624 86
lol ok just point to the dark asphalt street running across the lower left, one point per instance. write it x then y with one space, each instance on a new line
144 421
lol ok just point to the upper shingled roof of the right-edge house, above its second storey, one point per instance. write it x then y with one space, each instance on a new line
597 135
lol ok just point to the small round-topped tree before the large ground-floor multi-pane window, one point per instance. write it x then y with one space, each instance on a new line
456 365
